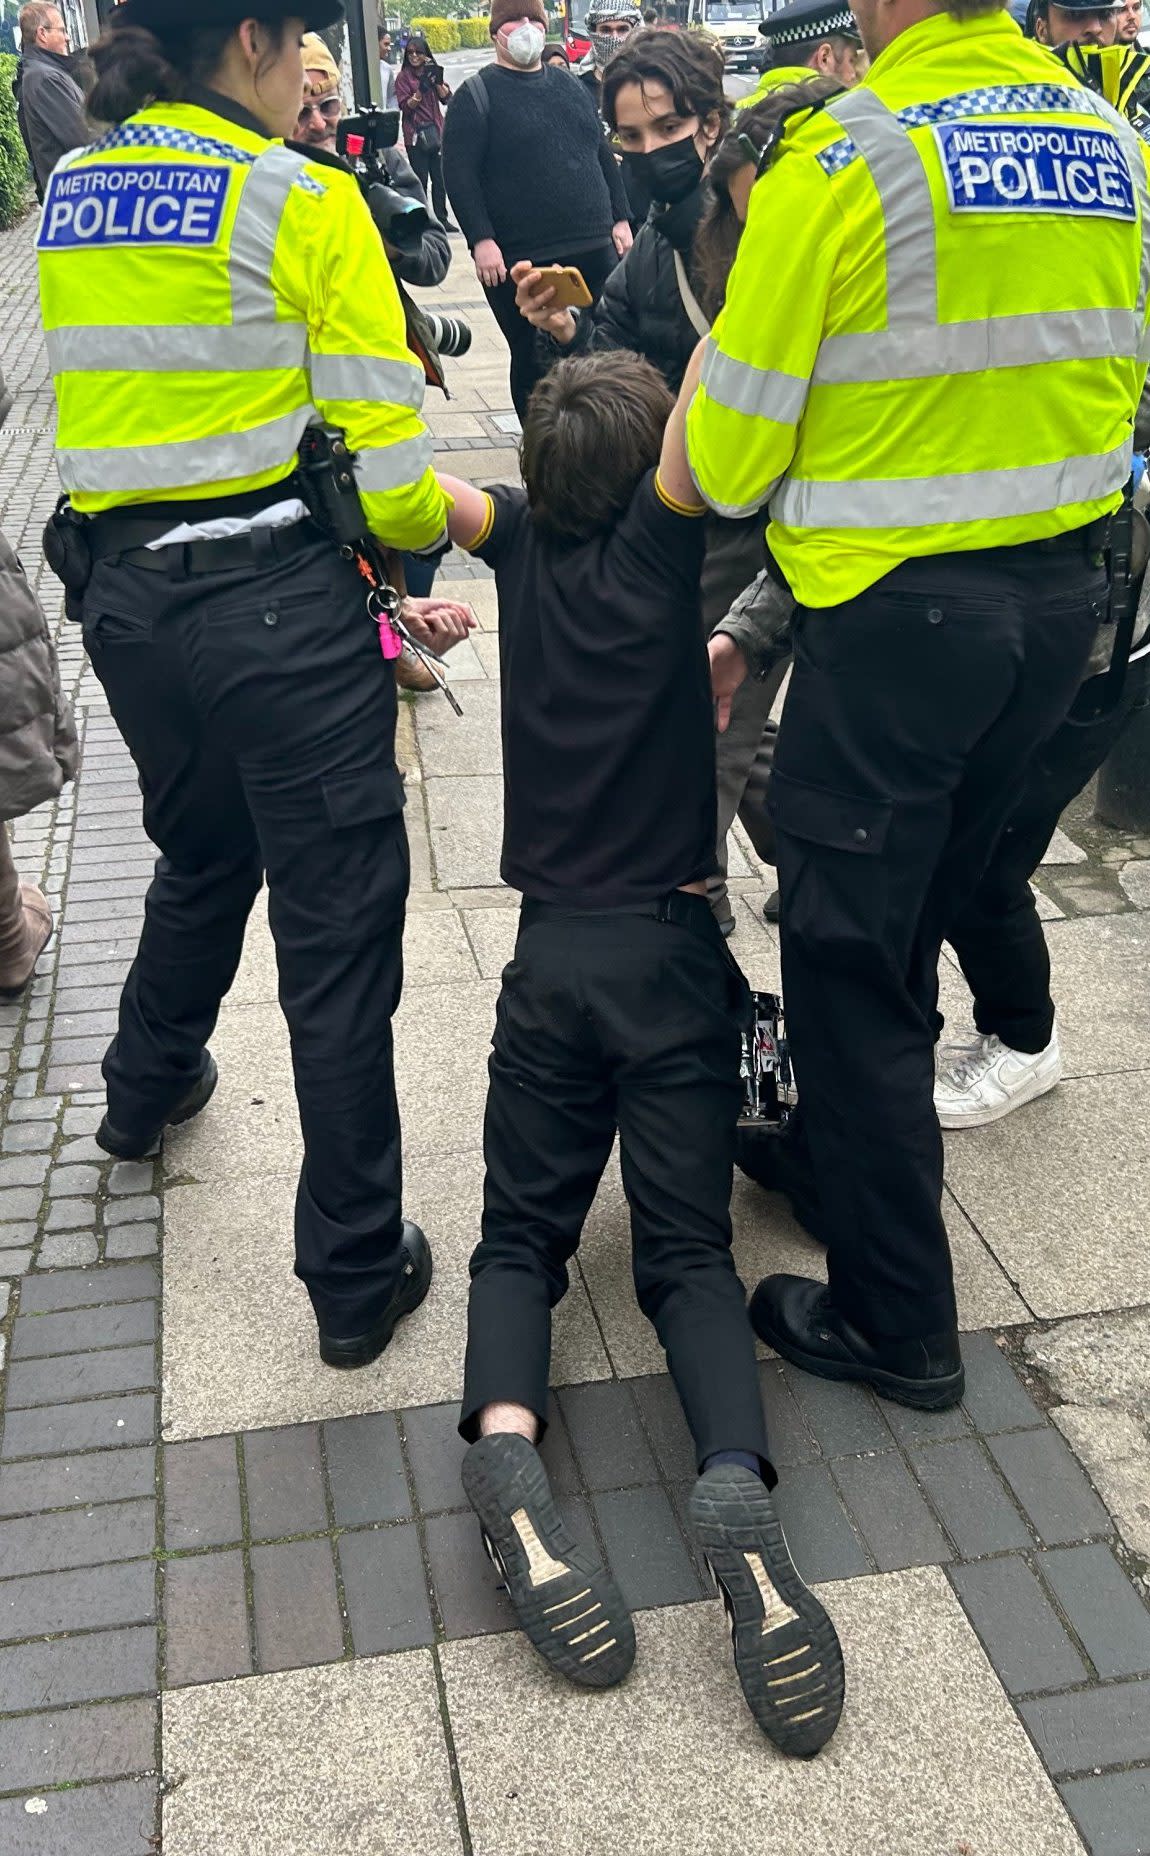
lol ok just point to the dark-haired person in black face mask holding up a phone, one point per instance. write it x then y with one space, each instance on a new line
663 99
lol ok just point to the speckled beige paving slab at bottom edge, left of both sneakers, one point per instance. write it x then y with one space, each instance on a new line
344 1759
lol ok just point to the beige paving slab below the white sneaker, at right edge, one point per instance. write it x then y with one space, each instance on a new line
1062 1196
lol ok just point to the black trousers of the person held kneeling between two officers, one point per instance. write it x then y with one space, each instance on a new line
630 1024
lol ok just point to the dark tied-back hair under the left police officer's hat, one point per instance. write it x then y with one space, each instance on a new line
136 68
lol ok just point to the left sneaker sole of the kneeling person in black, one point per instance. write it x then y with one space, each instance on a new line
569 1606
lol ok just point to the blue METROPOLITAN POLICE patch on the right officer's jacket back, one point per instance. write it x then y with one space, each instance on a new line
1036 168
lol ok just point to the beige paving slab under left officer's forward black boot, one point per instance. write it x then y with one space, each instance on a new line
240 1335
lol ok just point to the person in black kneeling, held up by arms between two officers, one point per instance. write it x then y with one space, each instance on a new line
620 1014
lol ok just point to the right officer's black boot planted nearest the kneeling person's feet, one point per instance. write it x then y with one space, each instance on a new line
800 1322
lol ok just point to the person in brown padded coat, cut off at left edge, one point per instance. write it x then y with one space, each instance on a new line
38 754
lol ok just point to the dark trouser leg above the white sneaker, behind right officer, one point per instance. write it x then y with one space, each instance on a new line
999 936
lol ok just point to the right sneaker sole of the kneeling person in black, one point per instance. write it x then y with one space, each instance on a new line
787 1651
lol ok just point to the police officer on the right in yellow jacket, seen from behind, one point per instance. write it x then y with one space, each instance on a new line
934 396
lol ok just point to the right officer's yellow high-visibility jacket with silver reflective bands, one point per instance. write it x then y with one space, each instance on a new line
936 329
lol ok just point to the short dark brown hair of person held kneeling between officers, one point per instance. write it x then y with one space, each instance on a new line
594 428
